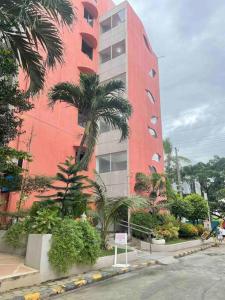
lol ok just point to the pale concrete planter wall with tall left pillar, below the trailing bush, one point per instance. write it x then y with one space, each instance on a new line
37 258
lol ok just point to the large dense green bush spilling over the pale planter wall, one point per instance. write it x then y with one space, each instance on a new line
73 242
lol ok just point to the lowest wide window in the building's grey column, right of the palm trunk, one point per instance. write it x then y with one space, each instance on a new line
112 162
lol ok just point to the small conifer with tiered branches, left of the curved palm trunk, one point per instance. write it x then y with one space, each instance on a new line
69 193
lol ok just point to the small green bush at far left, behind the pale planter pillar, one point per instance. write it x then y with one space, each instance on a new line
16 235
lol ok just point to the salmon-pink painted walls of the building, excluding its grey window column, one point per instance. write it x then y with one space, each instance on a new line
56 133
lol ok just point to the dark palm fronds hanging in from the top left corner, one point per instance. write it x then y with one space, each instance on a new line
28 28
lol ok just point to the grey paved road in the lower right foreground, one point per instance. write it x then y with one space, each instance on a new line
199 276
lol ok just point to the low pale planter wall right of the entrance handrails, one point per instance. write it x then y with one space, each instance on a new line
175 247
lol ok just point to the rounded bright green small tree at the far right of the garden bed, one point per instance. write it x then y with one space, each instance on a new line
199 207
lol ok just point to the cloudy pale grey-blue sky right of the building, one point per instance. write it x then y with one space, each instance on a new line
190 35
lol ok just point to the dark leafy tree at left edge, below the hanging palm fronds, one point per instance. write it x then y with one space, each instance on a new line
13 102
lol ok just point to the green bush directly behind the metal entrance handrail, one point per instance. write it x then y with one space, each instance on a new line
143 219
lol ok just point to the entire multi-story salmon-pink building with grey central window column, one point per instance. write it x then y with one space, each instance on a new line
111 41
